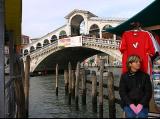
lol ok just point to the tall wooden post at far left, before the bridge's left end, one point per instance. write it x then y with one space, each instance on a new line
26 84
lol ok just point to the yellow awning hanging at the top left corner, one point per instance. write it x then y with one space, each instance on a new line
13 18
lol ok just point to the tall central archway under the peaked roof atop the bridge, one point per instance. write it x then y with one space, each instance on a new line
77 25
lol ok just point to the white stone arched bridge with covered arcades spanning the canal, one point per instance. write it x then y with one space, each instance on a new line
81 37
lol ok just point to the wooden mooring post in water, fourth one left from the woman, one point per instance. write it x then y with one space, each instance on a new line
83 79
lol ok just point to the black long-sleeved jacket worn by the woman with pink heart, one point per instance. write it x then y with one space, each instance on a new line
135 88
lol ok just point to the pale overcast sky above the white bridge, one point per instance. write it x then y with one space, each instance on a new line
40 17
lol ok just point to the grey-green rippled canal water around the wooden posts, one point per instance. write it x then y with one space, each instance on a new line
43 102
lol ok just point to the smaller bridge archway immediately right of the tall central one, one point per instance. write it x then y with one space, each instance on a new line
94 31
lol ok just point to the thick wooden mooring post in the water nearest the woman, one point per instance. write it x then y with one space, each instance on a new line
111 95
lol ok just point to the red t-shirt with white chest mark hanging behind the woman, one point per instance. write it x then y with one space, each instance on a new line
137 43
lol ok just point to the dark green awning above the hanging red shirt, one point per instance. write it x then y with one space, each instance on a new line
148 17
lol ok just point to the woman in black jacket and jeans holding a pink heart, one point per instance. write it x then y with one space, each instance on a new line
135 89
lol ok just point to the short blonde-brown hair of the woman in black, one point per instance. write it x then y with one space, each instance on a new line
131 59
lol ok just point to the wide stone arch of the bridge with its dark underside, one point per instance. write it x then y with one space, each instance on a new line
73 55
